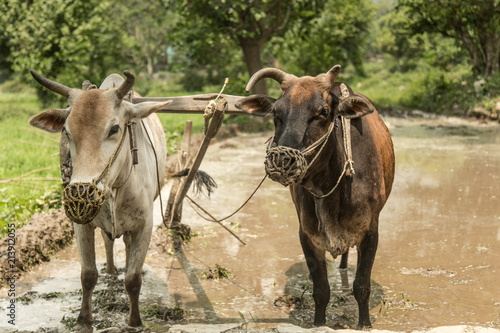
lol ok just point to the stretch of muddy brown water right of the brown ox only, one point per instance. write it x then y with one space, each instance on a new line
439 253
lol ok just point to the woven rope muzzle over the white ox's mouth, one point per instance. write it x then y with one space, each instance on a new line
82 202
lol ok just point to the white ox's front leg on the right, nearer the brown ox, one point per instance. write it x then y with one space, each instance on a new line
137 245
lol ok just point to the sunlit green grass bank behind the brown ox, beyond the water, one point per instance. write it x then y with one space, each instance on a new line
426 88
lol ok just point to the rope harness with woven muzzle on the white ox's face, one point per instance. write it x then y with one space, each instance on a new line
82 200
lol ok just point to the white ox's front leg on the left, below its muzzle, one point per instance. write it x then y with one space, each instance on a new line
86 248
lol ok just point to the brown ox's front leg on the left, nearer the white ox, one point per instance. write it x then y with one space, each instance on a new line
316 263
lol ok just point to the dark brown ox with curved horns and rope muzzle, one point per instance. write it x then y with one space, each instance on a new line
338 207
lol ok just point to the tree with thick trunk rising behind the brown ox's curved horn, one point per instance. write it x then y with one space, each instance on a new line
249 24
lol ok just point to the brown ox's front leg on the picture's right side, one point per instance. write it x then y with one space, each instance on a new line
361 286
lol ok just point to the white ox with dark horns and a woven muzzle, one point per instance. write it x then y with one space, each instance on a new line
95 124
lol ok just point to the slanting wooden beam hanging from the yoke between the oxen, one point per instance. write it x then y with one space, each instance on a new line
213 128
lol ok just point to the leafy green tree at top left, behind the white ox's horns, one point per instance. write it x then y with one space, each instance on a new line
66 41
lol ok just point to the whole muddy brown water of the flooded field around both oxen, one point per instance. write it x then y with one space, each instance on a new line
438 261
